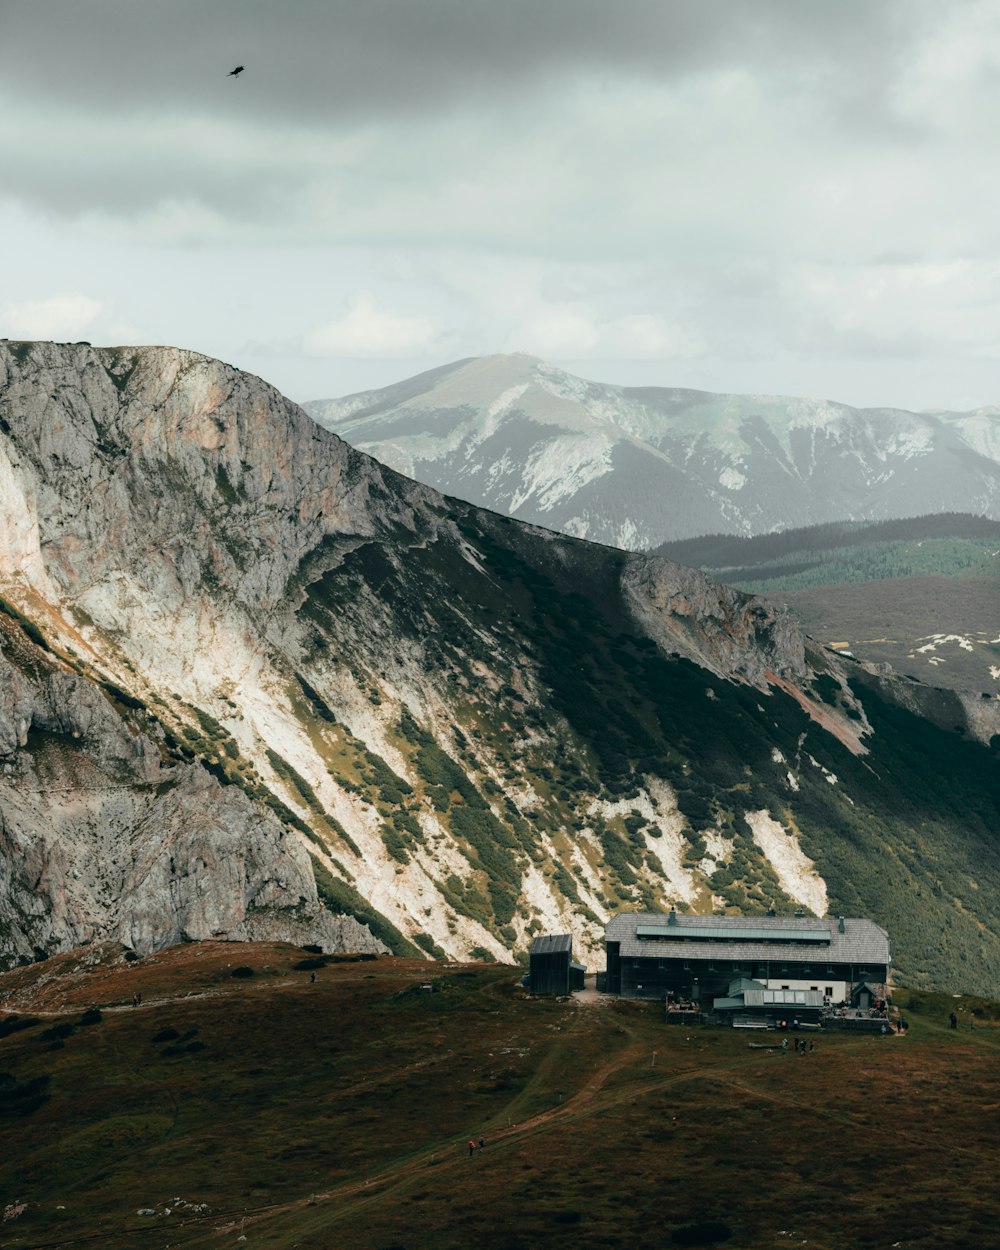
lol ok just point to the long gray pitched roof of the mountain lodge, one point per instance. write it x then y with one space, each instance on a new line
793 939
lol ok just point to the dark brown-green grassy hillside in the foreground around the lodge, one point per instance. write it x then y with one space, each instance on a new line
338 1113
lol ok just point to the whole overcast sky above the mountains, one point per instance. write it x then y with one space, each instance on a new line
783 196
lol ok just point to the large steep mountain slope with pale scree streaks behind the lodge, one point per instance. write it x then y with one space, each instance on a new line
477 729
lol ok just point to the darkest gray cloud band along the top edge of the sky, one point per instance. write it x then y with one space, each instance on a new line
326 62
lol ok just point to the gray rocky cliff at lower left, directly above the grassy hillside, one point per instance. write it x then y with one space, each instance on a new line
103 839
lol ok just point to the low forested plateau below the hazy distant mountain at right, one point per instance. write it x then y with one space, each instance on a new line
921 594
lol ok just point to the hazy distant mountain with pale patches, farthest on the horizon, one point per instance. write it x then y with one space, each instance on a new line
637 467
